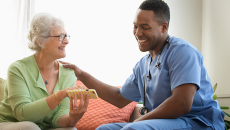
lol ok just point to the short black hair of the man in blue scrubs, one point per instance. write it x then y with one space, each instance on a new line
160 9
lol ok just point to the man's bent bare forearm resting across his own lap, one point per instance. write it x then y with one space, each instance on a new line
179 104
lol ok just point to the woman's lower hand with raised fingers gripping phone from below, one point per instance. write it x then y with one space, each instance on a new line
76 112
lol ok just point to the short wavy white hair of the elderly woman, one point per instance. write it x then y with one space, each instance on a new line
40 28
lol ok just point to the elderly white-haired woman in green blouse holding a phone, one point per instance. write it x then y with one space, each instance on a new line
35 94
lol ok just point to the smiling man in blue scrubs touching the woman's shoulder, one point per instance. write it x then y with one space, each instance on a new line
178 89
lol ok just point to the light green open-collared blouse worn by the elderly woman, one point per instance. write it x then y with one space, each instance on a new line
25 94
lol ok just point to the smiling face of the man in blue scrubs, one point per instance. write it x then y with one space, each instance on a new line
147 30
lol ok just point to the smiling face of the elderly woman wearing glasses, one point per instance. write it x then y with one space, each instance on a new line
54 48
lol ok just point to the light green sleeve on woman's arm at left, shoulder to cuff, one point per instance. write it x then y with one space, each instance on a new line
20 98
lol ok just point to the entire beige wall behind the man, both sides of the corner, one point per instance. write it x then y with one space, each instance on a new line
206 24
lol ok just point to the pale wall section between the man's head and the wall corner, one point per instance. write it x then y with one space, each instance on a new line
186 20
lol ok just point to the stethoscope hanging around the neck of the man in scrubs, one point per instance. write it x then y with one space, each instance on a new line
143 110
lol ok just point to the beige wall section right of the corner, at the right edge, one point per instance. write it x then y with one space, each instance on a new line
216 43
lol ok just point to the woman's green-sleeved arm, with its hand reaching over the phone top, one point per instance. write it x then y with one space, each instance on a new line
28 101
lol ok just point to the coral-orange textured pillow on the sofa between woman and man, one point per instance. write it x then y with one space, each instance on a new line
100 112
